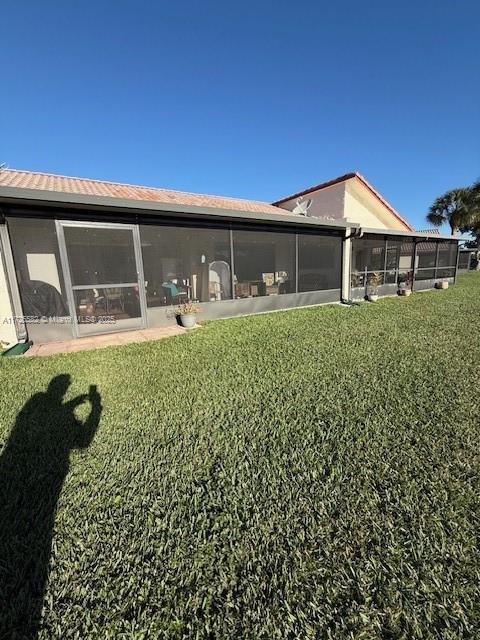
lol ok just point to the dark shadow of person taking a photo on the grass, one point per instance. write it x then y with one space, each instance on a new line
33 465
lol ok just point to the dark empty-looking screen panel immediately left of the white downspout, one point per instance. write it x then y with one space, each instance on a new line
319 262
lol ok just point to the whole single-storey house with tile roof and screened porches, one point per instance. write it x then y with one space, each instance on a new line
82 257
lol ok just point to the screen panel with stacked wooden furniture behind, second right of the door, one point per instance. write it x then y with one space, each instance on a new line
264 263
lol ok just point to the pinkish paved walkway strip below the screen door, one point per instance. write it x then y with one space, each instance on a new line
106 340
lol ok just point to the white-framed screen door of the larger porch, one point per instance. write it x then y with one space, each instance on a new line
106 290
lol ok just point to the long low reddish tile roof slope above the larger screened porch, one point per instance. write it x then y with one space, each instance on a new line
84 186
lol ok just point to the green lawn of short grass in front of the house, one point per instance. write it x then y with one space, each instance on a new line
297 475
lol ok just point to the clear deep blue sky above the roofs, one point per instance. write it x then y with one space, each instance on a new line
248 99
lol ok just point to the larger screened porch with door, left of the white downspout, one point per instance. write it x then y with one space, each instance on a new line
78 277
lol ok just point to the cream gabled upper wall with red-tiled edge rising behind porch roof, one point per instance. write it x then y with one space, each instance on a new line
349 198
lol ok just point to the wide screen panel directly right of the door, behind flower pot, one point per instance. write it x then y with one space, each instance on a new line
185 263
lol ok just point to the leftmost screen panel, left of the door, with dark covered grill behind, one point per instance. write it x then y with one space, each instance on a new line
37 264
